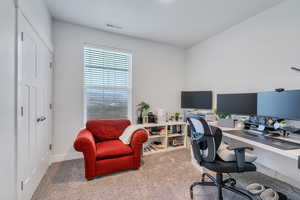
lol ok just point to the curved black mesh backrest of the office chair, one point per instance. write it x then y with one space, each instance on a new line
205 142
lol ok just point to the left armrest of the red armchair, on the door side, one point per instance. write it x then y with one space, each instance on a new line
85 143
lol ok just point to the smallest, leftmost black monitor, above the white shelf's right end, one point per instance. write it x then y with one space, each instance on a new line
196 99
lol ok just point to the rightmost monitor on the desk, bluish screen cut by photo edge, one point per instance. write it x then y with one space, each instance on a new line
285 105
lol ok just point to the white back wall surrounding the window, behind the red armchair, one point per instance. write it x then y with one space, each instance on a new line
157 77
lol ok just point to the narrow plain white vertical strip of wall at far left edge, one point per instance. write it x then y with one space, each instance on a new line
7 105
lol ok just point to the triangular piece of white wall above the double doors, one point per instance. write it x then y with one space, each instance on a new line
37 13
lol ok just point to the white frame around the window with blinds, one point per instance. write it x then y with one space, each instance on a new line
130 77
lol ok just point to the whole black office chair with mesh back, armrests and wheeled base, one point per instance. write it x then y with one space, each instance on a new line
205 143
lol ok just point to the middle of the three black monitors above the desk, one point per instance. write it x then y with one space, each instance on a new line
239 104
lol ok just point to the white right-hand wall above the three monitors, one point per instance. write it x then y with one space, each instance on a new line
252 56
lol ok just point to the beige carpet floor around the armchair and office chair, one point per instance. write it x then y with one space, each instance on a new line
163 176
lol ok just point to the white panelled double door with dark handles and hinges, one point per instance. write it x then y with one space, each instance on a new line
33 134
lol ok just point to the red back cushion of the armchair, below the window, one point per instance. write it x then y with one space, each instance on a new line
107 129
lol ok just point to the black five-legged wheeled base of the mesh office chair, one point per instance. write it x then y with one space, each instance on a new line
228 184
